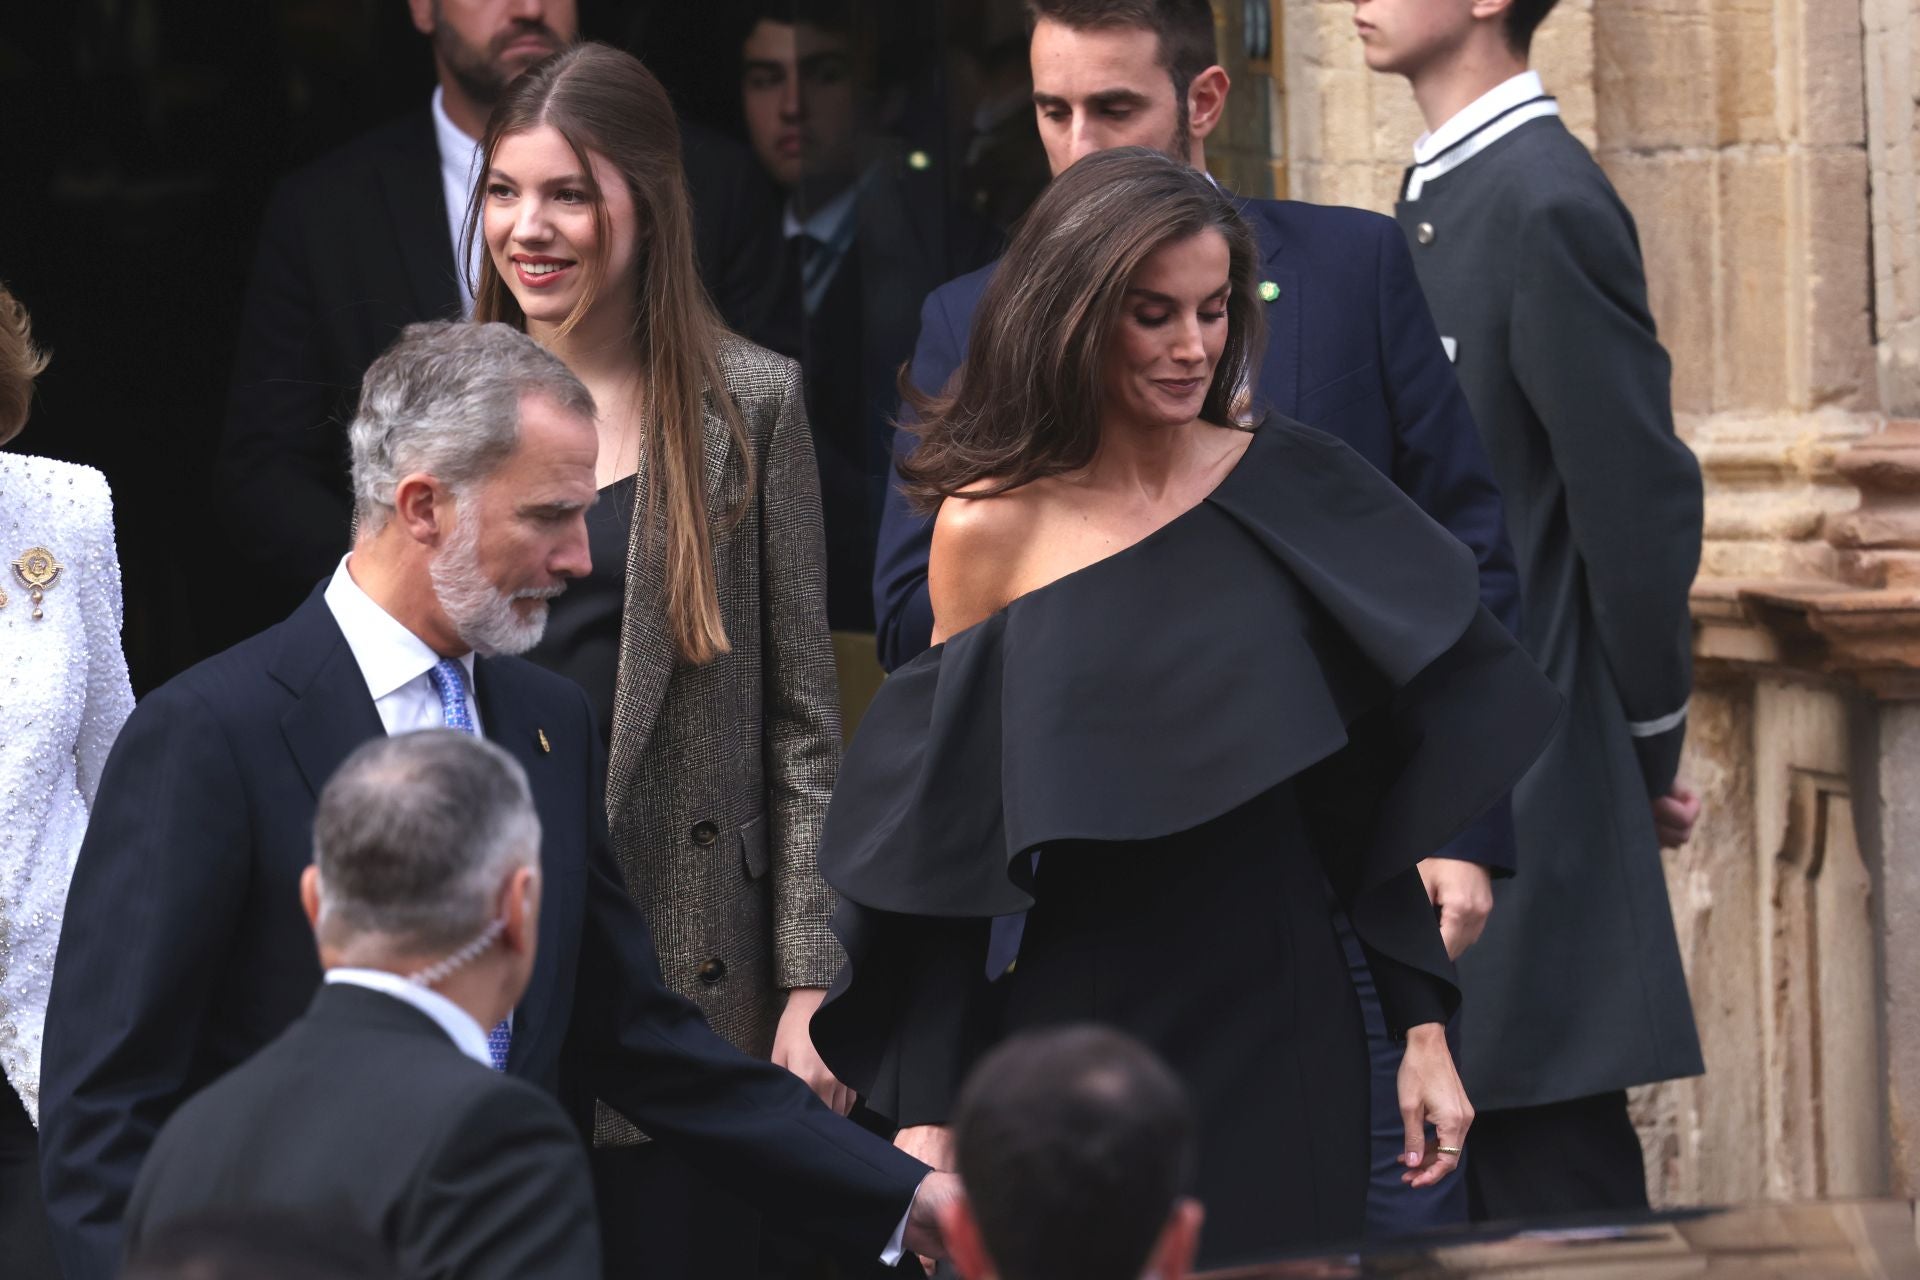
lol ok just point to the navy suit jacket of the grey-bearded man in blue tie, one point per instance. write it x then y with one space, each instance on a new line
185 949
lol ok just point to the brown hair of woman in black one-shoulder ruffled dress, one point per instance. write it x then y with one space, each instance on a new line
1026 404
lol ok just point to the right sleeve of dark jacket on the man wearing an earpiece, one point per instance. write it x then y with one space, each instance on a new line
506 1197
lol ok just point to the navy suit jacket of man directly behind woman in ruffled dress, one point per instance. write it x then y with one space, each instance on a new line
1351 350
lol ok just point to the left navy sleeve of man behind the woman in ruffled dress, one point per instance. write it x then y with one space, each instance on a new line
903 611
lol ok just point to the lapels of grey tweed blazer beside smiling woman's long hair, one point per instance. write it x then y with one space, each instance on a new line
648 653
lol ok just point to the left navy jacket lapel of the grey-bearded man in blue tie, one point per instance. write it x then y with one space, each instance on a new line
333 711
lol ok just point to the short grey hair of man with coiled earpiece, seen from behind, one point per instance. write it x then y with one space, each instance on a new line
416 836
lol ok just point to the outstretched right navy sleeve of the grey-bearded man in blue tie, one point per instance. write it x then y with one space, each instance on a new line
744 1122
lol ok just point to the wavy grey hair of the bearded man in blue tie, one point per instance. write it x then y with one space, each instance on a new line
446 400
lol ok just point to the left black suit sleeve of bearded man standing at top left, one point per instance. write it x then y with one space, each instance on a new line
283 460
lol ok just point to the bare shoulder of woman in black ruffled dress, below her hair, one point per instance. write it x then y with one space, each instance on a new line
976 557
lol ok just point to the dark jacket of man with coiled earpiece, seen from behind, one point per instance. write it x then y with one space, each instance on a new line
366 1116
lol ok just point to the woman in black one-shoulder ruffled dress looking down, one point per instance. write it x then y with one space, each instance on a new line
1197 684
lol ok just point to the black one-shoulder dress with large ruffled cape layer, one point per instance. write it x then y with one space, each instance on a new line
1285 694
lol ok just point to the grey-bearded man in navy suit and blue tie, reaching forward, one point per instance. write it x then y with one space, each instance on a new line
185 949
